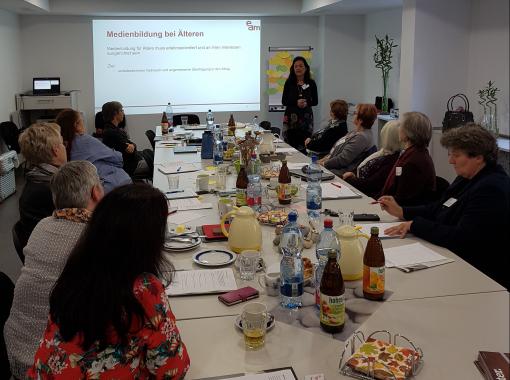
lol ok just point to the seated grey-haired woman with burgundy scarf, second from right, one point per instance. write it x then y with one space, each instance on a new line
412 180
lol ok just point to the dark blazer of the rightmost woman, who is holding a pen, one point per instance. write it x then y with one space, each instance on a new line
476 227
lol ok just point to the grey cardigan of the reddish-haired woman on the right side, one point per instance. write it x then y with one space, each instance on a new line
345 154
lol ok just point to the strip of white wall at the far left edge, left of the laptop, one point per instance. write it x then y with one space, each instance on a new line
10 63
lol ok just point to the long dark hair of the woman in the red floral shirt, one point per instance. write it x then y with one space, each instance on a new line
123 239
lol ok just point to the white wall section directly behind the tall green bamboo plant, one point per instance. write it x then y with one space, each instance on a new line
379 24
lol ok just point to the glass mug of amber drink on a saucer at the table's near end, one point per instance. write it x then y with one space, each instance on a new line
254 321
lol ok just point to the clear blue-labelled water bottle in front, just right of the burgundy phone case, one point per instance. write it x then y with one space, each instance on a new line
291 266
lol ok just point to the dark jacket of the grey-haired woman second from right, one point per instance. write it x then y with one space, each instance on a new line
417 181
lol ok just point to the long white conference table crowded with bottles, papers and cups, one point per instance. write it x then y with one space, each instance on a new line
451 311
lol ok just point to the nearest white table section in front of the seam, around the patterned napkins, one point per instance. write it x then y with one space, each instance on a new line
449 330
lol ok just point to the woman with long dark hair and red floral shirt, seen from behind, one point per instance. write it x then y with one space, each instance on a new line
109 314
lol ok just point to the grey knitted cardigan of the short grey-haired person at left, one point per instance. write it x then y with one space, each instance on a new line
45 256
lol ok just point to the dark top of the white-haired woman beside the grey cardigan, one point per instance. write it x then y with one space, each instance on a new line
374 175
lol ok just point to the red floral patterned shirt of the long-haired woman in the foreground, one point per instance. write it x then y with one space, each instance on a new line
154 351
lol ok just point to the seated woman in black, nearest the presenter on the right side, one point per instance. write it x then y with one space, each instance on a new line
322 141
